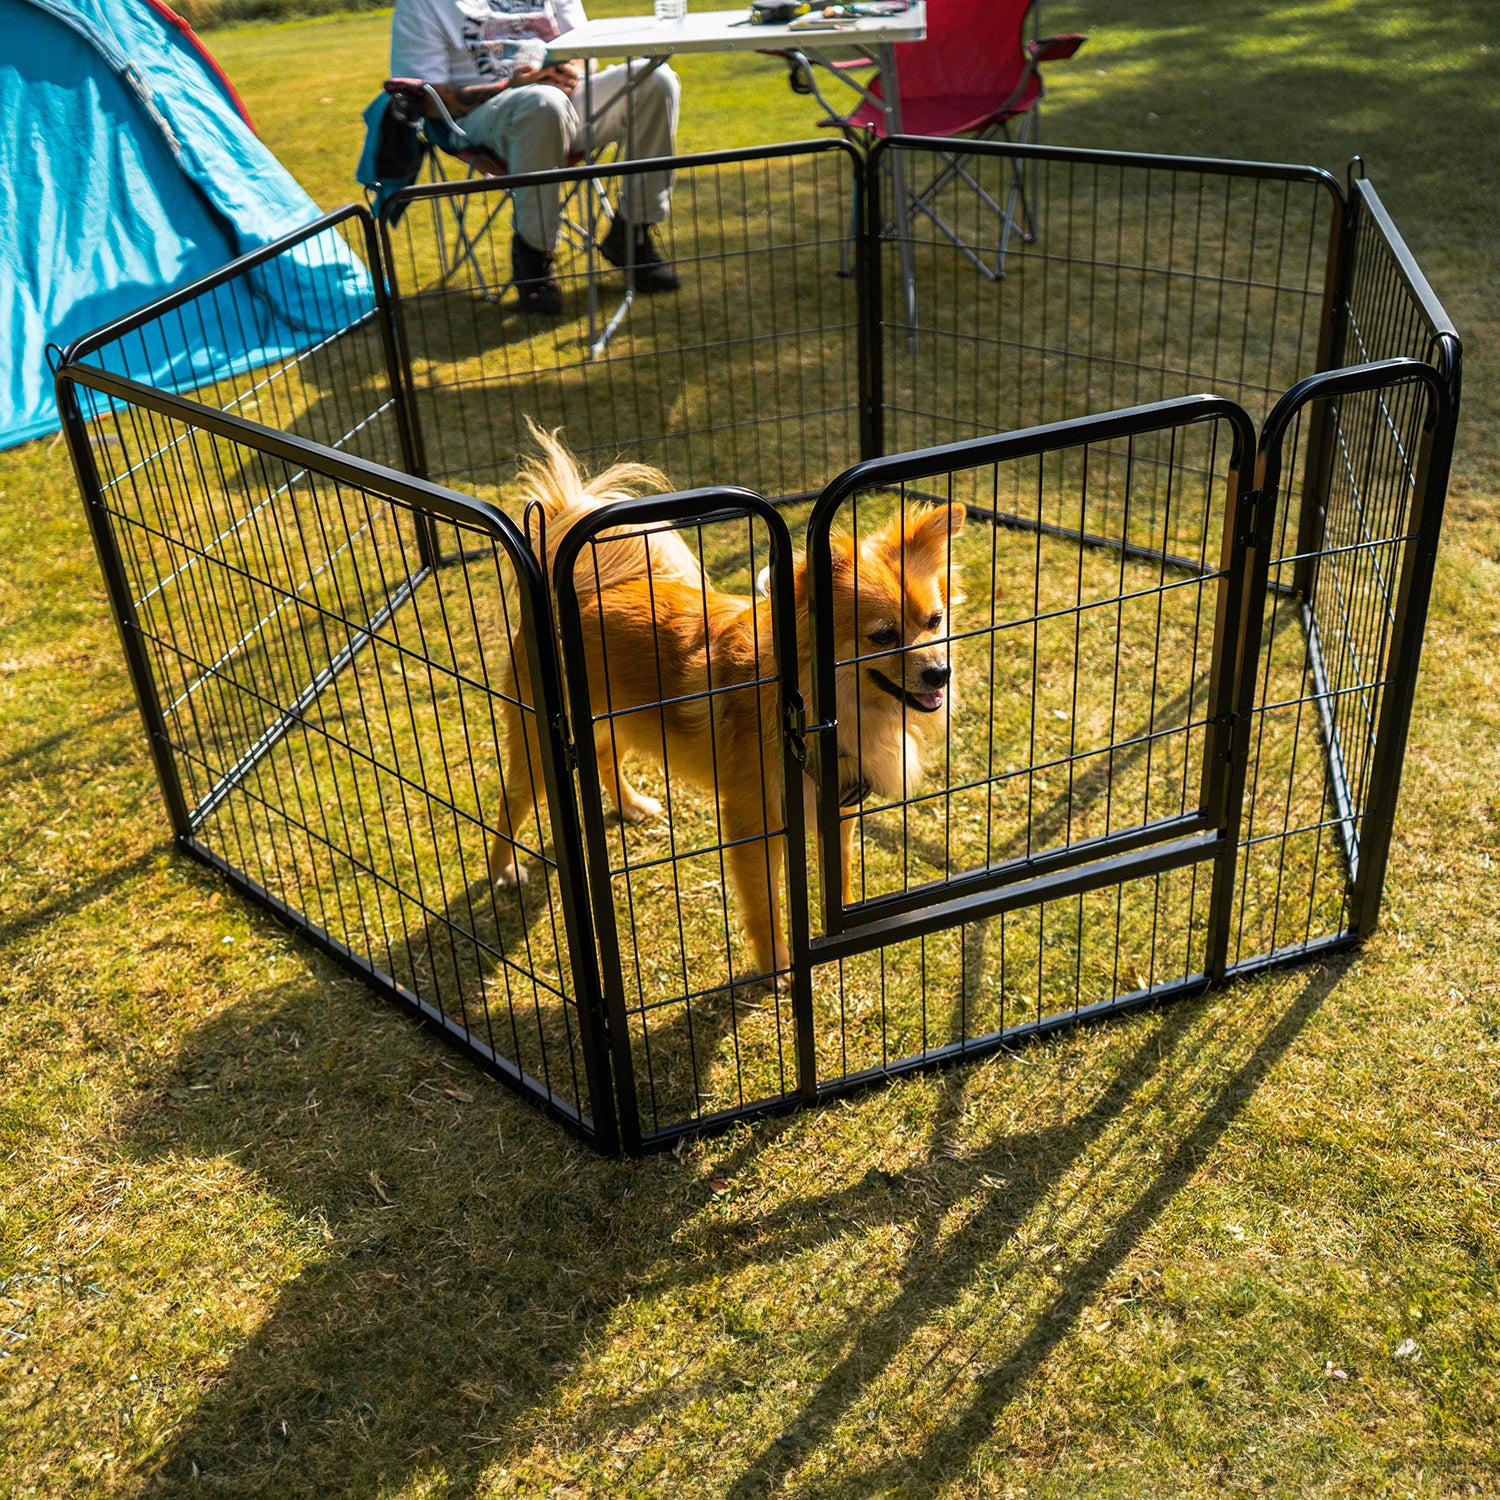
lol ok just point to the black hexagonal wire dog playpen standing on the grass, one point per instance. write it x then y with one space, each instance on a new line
1201 428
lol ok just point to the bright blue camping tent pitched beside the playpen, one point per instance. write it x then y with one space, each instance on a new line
128 170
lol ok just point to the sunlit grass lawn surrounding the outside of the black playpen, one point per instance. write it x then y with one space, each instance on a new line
262 1237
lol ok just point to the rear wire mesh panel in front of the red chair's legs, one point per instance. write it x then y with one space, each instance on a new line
1126 280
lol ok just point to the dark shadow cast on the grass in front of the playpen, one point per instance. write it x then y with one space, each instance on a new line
484 1276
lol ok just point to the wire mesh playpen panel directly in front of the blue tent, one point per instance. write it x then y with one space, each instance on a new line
296 335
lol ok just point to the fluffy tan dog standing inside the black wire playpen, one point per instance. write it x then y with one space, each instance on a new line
659 635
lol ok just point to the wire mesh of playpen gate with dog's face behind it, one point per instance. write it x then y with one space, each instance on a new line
1022 644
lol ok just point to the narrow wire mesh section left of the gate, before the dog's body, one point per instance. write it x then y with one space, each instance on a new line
694 806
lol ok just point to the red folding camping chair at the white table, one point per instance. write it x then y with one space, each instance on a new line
976 76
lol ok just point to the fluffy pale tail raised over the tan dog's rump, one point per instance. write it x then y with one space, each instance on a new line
566 496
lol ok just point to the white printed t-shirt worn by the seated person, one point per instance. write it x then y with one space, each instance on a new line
473 41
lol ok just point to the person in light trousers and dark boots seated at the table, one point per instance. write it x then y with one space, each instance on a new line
487 62
